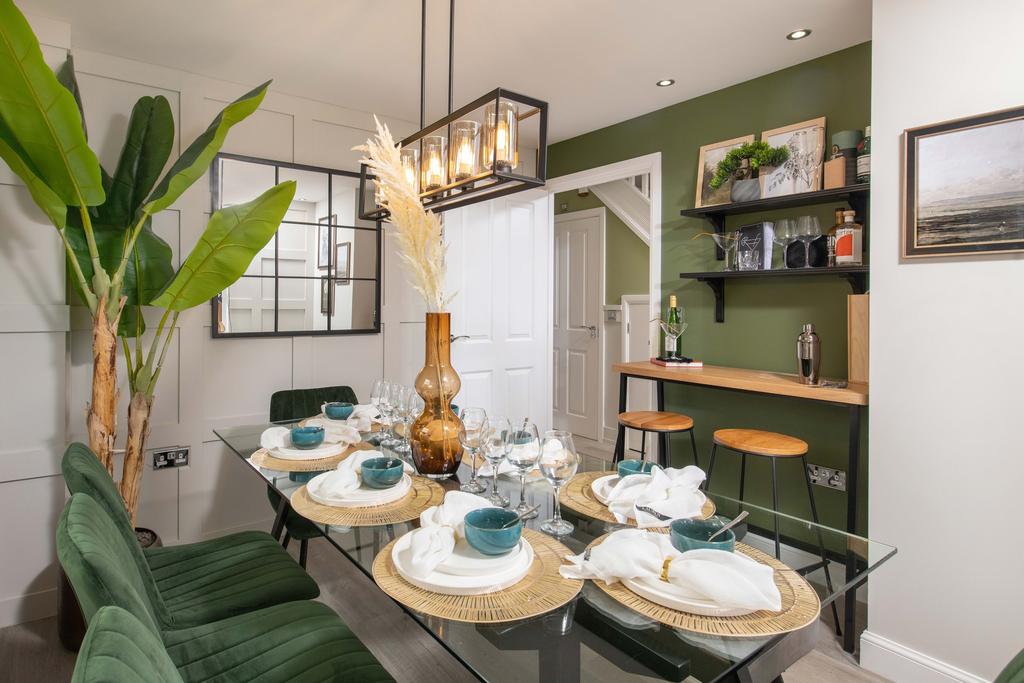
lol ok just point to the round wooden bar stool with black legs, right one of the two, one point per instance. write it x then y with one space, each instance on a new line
775 447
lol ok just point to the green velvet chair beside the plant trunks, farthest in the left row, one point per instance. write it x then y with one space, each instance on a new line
202 582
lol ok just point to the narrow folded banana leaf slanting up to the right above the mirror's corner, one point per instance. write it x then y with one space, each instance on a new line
194 162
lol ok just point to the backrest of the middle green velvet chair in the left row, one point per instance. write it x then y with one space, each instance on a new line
101 566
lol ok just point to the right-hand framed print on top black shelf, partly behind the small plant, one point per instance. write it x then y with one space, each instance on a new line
802 173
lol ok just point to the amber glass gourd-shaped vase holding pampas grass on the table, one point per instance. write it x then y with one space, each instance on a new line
435 438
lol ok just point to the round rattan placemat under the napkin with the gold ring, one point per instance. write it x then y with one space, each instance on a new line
800 606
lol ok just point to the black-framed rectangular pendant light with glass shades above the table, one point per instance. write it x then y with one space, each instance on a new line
494 146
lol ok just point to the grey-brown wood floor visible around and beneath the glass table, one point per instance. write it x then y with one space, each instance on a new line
30 653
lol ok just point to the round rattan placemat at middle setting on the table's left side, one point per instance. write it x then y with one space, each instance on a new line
423 495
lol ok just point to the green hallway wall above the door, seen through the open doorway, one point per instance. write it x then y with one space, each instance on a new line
627 259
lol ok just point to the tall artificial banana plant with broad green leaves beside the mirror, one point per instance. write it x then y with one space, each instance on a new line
116 264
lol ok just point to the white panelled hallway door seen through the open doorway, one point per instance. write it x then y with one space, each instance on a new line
579 281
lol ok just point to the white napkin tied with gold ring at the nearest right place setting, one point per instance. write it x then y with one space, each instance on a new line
732 581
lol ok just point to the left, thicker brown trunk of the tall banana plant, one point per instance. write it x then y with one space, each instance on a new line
102 419
